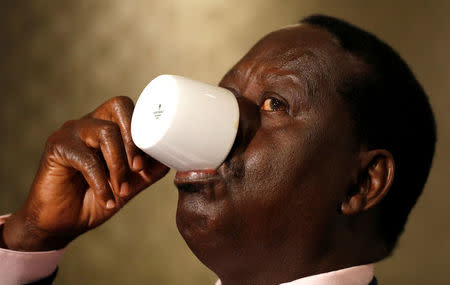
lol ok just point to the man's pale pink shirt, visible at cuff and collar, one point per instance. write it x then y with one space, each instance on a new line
17 267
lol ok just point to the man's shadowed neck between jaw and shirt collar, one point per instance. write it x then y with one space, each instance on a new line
291 262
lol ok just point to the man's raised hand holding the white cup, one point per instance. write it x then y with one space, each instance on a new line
90 168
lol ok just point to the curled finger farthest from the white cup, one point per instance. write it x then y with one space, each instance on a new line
84 159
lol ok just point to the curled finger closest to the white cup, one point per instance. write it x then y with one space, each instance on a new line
120 110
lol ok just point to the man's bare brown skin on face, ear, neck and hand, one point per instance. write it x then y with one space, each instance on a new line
296 196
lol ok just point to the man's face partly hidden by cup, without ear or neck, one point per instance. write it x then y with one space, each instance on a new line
277 195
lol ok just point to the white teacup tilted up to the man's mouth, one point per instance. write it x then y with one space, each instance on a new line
185 124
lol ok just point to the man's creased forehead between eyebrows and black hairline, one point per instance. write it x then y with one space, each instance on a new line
305 53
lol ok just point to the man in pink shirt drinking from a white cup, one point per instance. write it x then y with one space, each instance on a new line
335 144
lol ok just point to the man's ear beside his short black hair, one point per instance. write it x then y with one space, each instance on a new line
374 181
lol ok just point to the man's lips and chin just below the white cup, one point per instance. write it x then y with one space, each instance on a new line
207 219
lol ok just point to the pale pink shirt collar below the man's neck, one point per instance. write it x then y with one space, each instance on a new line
357 275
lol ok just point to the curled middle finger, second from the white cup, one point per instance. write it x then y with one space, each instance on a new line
106 136
